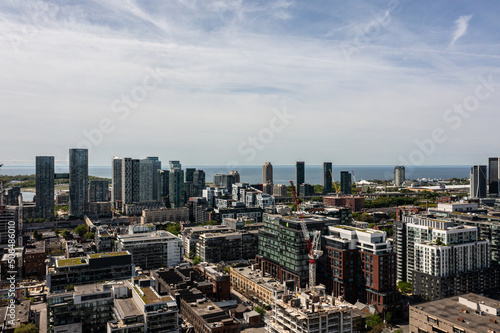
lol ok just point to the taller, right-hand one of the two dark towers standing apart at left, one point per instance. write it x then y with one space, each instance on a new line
78 181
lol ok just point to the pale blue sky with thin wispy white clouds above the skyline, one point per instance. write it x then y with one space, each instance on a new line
244 82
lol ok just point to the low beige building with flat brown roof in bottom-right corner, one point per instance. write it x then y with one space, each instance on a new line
467 313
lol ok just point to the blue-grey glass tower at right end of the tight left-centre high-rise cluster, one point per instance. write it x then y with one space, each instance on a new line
148 178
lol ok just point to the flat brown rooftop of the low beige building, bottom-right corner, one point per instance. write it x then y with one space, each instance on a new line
450 309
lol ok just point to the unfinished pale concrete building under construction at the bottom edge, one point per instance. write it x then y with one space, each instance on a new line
313 311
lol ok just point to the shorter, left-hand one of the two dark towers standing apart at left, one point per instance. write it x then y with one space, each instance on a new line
45 187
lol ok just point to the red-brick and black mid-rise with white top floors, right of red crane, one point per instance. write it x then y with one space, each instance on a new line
360 265
